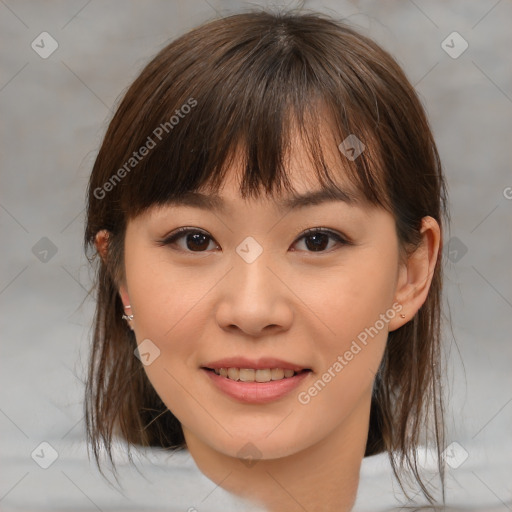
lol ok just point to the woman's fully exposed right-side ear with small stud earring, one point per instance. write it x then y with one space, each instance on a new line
415 274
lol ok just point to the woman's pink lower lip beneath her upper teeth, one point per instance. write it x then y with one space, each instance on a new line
256 392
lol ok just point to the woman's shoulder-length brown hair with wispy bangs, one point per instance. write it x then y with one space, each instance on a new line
245 79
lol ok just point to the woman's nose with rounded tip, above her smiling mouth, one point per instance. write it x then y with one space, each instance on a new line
255 299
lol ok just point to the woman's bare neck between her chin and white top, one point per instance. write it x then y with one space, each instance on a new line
324 477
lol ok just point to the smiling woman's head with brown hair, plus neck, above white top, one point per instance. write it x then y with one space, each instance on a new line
268 205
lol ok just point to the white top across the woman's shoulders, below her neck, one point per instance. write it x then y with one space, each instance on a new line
172 482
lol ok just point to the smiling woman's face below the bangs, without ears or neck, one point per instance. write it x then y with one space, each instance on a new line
248 291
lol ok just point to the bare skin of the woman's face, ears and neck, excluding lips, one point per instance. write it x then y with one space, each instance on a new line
291 303
